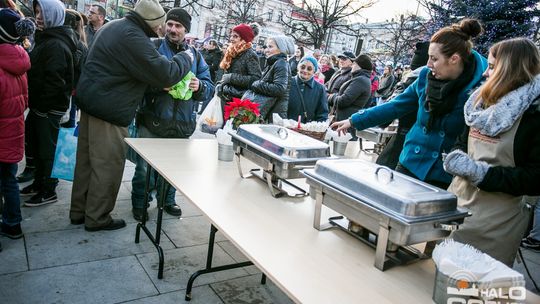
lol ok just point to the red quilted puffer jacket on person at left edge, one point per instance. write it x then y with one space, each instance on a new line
14 62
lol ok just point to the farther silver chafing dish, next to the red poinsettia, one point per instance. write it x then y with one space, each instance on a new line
281 153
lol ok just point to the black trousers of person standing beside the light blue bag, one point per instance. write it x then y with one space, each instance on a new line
42 134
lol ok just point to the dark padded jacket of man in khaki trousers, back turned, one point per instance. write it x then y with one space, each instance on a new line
121 63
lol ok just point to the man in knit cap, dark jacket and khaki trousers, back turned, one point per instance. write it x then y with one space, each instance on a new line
122 62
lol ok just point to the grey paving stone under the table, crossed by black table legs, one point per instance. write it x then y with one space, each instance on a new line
181 263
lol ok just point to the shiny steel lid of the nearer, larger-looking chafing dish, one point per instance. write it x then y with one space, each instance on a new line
383 188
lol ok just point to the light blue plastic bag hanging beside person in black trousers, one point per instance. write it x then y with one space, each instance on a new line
65 155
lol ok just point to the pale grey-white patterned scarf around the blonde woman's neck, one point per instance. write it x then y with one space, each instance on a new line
503 115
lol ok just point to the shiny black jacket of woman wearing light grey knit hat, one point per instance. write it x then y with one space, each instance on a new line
275 82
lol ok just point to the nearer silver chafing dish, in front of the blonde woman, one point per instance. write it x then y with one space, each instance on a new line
386 209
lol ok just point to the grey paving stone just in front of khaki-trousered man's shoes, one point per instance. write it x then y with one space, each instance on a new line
77 245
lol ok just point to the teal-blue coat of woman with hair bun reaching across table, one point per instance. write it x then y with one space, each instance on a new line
422 149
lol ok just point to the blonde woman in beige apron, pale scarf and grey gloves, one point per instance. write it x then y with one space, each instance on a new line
498 157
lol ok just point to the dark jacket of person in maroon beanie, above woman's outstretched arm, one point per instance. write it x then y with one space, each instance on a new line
353 94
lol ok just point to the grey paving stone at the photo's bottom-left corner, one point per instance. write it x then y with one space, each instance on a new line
107 281
